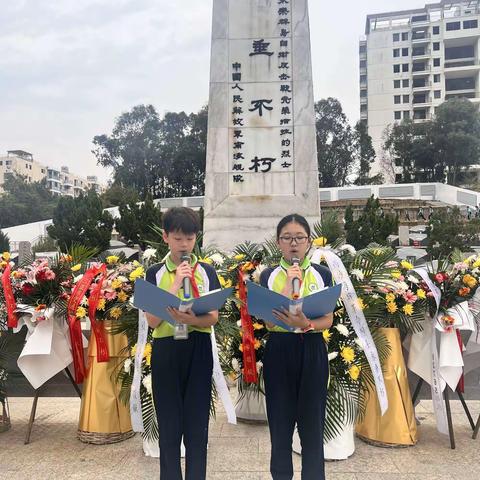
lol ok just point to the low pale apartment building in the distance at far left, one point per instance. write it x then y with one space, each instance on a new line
58 181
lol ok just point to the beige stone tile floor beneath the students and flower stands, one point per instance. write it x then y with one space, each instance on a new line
235 452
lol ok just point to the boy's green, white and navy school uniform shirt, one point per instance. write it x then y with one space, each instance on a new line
163 275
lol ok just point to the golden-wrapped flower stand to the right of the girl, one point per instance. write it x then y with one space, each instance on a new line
398 426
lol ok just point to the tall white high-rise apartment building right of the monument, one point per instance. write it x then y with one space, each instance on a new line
412 61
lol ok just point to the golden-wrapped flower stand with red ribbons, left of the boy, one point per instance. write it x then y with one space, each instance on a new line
103 417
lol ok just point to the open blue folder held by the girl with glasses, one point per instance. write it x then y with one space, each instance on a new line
261 302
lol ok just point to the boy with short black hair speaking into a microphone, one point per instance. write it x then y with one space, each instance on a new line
182 368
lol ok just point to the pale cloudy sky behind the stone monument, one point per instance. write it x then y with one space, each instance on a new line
69 68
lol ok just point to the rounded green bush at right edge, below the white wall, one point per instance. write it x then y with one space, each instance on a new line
448 230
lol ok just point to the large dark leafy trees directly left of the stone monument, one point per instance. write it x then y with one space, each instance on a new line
161 157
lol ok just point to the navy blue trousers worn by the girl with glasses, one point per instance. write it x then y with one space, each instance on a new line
296 373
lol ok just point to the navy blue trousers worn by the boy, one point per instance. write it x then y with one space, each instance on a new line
182 387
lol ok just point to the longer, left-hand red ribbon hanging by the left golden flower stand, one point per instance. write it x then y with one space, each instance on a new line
74 324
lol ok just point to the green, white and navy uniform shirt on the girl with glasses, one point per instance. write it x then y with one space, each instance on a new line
314 278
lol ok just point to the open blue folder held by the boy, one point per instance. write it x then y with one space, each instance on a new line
154 300
